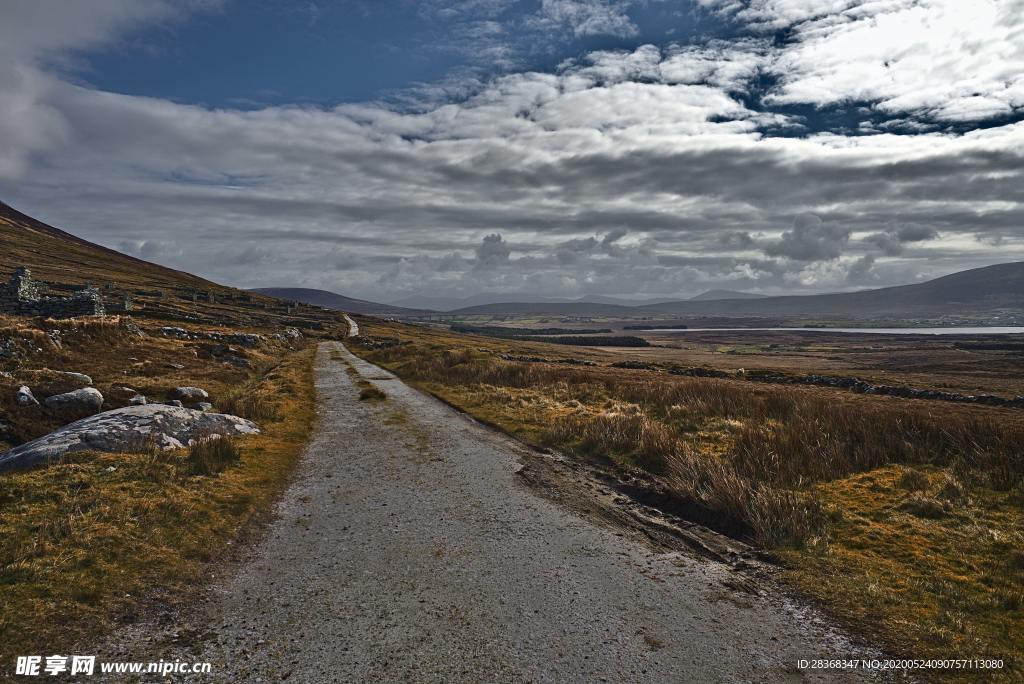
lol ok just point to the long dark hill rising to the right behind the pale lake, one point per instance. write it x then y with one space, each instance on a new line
971 292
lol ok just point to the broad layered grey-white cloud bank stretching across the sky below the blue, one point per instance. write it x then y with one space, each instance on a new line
638 173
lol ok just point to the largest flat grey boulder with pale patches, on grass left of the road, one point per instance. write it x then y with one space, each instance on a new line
130 430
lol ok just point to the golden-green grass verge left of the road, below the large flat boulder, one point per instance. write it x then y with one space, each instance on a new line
87 540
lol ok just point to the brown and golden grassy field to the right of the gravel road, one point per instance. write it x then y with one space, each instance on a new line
912 510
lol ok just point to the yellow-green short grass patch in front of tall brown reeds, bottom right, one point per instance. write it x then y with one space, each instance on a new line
944 580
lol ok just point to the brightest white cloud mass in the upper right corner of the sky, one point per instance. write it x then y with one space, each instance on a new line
948 60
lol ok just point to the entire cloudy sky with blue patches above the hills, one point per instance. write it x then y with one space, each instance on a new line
642 148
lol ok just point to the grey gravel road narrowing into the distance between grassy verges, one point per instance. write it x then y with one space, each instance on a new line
409 550
